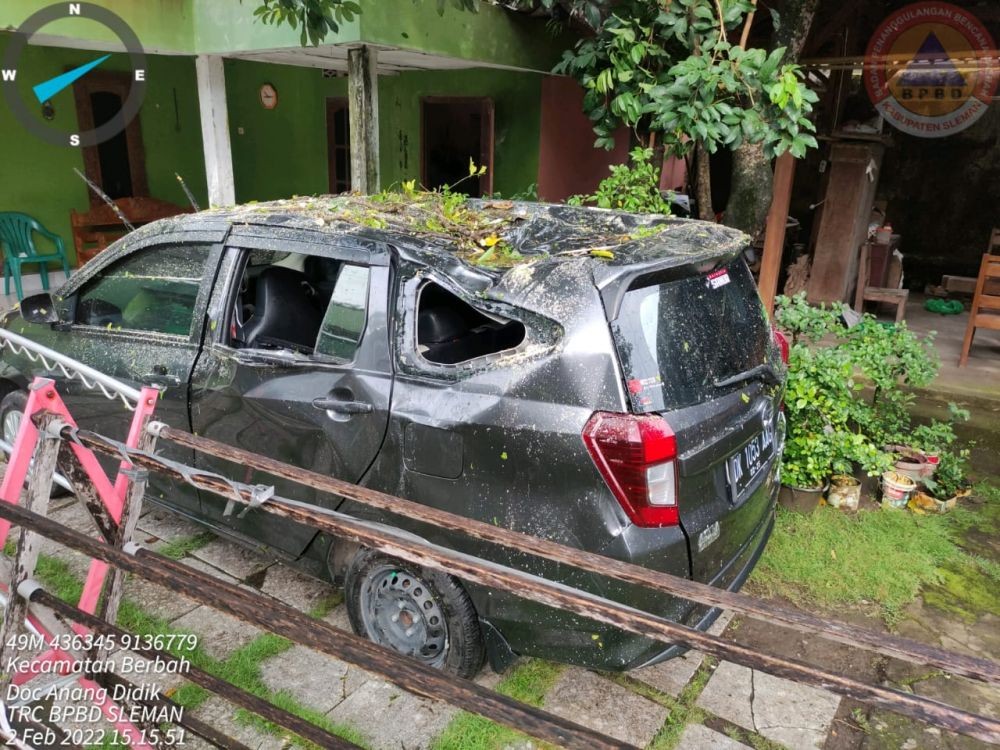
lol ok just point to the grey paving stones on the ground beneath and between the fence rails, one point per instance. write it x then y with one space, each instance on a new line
741 706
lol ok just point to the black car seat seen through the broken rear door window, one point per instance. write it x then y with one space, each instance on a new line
284 315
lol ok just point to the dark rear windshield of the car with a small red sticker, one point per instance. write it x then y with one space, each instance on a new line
676 339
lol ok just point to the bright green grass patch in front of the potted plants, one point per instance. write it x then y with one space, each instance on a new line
830 558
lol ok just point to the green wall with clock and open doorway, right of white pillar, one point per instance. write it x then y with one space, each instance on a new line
283 152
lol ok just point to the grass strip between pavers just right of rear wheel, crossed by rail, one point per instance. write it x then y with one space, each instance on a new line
527 682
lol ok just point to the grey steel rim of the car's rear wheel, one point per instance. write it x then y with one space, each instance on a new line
399 611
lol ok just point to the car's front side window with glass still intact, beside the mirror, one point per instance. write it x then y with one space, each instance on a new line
153 290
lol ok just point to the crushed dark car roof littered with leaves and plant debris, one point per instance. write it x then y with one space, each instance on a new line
492 236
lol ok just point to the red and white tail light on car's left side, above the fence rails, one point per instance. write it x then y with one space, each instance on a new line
637 456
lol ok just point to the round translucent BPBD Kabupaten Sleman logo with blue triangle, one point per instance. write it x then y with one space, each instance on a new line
931 69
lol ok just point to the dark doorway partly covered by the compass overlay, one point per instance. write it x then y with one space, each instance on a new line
118 165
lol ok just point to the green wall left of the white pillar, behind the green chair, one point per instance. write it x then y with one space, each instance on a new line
38 179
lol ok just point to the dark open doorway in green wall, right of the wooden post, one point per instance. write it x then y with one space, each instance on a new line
455 130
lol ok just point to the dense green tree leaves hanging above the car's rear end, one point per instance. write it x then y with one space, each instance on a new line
671 69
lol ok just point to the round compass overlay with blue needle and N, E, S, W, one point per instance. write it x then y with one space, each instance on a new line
28 99
